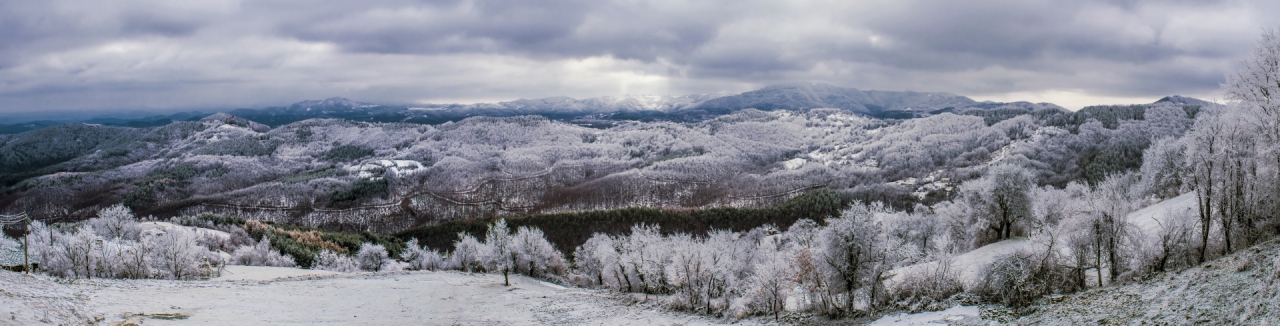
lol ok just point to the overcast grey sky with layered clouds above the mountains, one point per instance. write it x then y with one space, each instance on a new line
164 54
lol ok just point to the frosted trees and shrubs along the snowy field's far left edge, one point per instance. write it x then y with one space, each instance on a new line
117 245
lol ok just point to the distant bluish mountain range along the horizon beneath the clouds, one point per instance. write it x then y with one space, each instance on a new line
607 111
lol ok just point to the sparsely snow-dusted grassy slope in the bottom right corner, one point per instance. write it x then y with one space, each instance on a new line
1237 290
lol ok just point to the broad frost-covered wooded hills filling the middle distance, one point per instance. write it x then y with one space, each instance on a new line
388 177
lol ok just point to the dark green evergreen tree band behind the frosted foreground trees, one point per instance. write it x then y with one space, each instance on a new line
572 229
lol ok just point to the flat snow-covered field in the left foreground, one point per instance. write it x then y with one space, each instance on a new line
281 296
